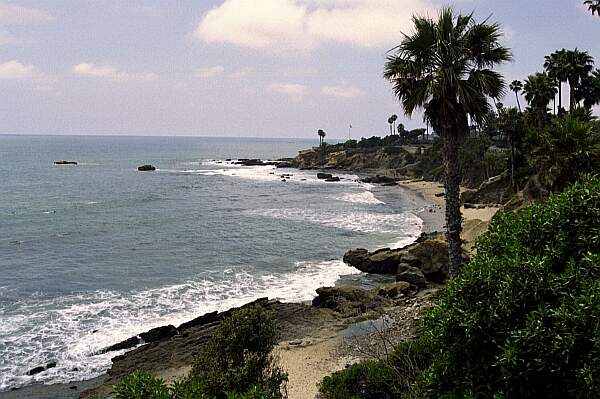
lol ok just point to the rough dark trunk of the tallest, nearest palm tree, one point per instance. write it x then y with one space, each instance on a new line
453 215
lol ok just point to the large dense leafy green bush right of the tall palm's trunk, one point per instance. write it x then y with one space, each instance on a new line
521 320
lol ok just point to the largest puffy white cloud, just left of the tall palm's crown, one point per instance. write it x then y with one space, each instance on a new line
305 24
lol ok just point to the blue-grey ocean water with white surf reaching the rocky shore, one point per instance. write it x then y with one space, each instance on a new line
95 253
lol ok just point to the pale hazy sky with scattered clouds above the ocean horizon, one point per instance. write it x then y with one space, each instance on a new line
237 68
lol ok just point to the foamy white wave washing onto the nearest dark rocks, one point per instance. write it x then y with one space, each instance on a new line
69 330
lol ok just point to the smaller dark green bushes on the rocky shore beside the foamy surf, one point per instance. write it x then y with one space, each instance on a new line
236 363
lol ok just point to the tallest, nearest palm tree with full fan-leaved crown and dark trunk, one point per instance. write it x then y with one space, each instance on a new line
445 68
